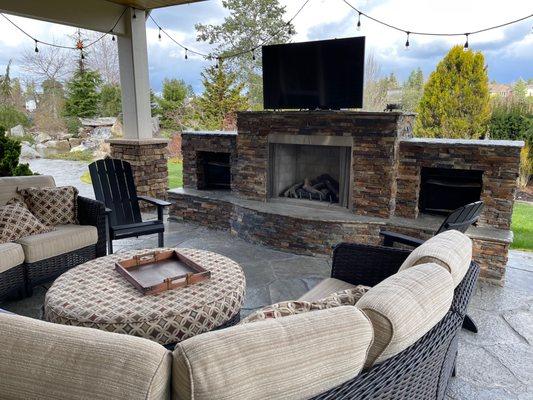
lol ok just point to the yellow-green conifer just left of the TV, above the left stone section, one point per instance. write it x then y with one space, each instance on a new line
222 97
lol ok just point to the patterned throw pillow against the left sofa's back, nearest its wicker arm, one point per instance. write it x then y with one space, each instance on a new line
53 206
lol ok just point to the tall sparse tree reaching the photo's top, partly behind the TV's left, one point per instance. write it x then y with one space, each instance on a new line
250 23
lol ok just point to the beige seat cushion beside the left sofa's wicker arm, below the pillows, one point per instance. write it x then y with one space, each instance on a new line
63 239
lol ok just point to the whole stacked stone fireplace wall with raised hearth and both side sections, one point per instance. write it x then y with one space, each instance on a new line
385 184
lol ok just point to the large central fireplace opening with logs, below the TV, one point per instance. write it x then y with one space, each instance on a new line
310 172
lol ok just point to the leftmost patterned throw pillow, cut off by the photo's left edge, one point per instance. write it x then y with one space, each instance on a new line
17 222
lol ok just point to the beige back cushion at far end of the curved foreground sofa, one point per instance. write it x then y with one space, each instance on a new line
451 250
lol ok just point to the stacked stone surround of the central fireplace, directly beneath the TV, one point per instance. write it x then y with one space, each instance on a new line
374 152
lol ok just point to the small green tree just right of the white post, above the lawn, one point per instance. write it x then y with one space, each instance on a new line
171 105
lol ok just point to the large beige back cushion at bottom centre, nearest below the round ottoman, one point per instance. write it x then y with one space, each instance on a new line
296 357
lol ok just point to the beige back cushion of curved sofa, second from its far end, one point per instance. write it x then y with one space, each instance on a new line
404 307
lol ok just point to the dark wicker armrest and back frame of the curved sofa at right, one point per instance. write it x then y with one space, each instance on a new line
423 370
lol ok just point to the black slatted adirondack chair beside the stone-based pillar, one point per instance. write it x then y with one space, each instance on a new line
114 186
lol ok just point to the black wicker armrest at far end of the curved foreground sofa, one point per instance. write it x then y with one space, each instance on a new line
361 264
